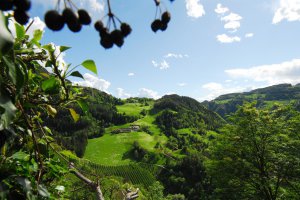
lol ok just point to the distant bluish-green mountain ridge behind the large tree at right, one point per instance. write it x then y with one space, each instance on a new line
265 97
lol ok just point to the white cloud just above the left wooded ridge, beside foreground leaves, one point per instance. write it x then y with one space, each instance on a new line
93 82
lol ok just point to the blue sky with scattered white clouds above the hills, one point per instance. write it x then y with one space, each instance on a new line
211 47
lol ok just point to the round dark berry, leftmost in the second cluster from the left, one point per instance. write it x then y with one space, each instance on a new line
54 20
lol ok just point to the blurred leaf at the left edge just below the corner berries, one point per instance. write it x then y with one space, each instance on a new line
6 39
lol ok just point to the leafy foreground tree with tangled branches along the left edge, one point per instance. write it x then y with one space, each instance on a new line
30 158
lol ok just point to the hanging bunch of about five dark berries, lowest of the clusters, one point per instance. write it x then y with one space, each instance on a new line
116 36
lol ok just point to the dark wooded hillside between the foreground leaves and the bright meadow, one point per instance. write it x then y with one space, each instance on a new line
102 113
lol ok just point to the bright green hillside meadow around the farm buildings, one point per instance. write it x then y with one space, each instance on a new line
112 149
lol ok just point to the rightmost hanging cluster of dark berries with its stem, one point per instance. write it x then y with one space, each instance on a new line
162 22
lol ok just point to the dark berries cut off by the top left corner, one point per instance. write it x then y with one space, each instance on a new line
20 8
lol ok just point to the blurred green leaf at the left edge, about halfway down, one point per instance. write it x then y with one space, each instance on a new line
8 110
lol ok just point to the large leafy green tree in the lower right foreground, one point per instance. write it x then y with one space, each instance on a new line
257 156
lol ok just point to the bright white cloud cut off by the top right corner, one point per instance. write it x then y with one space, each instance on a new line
287 10
